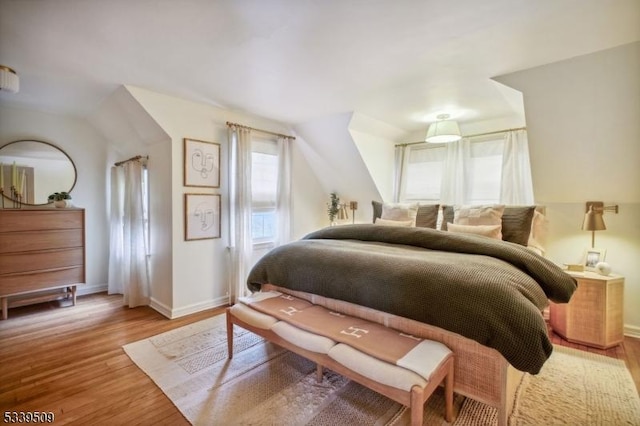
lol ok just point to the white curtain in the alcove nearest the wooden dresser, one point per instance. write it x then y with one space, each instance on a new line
128 248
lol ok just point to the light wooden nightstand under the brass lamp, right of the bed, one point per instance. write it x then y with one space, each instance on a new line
594 315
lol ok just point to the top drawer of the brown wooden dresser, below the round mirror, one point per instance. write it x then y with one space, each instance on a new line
34 220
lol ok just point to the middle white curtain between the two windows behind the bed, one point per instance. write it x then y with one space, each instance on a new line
454 179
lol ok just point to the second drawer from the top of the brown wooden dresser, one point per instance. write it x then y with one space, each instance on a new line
13 242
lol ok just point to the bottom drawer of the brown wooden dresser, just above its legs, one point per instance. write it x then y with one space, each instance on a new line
33 281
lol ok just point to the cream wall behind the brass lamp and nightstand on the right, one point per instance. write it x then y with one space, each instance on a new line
584 142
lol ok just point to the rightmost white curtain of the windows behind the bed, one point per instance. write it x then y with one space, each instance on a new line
517 186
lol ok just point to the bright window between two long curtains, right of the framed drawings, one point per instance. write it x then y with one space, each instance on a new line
264 187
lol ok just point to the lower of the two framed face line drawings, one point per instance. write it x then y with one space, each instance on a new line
202 216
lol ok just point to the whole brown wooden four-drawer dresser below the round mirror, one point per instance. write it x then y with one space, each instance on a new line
42 255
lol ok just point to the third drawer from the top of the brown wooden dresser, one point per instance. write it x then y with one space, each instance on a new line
50 259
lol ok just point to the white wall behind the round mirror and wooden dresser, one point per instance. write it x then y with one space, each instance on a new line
88 150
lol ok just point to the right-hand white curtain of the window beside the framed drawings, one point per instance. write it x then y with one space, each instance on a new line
283 198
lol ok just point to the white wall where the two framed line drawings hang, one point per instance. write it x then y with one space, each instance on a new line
199 276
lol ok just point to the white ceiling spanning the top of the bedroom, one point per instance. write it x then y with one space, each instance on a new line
402 61
